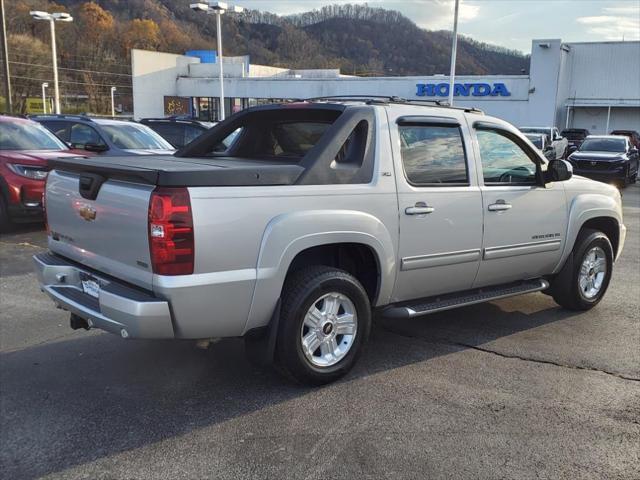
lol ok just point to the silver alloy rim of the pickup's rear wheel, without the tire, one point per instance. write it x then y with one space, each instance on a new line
329 329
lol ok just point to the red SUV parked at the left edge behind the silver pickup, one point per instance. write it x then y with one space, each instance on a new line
25 147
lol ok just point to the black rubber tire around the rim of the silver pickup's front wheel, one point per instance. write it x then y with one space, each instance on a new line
565 287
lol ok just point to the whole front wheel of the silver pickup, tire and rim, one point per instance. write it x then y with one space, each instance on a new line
585 277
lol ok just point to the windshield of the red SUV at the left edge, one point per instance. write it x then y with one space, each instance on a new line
22 135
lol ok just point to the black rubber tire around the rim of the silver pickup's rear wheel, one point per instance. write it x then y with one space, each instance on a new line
301 291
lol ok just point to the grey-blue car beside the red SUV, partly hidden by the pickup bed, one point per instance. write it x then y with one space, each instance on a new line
105 136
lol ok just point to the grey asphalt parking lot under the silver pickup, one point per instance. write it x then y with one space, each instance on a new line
517 388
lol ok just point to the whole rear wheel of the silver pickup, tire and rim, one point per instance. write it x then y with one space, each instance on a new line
325 319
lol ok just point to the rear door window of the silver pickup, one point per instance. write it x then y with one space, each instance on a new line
433 154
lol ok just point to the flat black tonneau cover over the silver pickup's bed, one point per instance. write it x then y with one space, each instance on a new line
170 171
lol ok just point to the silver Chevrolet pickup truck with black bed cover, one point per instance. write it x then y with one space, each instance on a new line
317 216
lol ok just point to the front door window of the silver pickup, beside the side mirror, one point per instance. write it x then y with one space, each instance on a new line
503 160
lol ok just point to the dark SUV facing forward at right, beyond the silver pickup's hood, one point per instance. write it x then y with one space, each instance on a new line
608 158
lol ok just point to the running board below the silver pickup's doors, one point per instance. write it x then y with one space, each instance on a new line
460 299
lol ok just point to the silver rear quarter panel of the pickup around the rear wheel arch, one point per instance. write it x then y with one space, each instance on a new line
246 238
